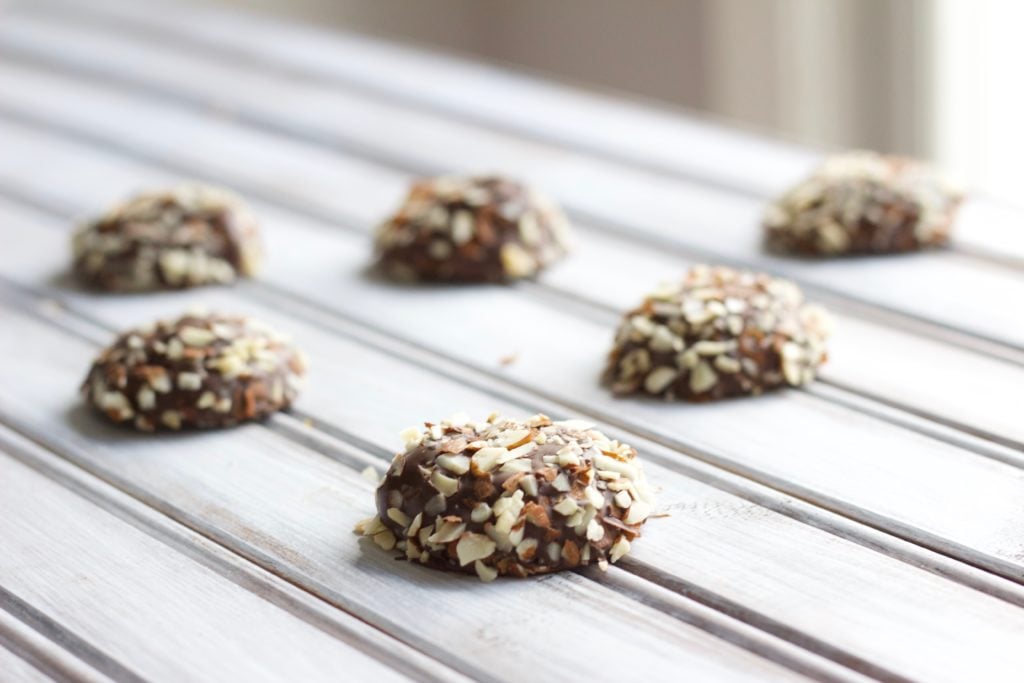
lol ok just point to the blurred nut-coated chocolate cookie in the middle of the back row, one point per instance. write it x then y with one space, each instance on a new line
483 229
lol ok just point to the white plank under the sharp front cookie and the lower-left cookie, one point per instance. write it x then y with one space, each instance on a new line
266 497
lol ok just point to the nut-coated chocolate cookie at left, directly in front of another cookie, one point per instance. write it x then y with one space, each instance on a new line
199 371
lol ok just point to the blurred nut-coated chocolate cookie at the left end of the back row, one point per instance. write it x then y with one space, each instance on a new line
187 236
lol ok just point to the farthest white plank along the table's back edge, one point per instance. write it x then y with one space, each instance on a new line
665 142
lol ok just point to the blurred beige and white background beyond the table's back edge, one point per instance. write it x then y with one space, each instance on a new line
931 78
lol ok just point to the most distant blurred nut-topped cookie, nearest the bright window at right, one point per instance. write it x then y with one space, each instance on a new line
860 203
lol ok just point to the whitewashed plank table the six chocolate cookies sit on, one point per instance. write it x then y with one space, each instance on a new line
871 527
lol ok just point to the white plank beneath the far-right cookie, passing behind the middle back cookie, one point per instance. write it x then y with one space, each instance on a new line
700 222
